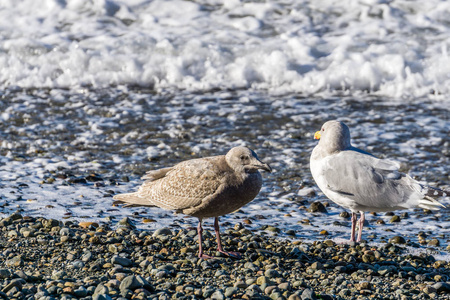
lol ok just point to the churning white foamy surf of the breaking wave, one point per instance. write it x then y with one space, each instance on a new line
390 48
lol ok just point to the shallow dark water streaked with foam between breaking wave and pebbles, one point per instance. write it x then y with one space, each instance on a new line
65 153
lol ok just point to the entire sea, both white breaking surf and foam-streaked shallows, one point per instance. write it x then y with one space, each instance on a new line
95 93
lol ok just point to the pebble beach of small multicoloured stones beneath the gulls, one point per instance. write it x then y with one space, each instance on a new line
52 259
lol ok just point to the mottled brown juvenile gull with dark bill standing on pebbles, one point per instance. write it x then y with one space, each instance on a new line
203 188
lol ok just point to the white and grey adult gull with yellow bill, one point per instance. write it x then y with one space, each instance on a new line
360 182
